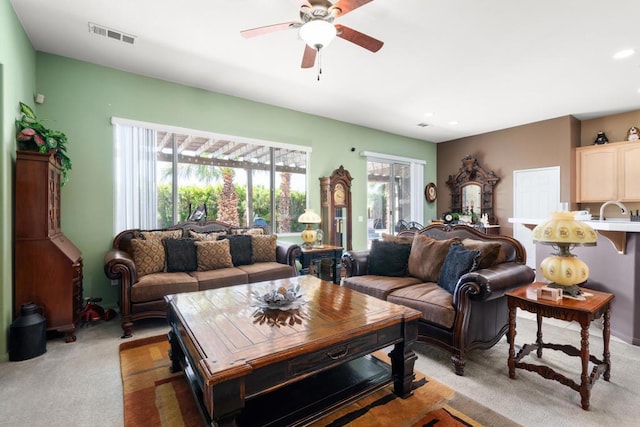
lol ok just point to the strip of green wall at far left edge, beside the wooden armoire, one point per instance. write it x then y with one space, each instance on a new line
17 83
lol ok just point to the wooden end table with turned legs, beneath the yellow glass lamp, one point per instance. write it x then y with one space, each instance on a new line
595 306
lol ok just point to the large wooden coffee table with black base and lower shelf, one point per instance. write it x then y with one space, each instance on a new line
249 367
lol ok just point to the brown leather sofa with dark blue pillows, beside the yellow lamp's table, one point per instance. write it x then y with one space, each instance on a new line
455 275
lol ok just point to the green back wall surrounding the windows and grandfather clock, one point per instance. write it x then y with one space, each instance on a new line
81 98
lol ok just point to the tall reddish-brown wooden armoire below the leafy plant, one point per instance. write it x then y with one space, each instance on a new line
47 265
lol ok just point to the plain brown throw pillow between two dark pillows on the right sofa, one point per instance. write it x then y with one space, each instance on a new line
427 256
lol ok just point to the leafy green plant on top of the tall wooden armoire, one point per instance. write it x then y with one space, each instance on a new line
32 135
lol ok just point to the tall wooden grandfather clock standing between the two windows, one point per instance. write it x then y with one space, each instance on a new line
335 195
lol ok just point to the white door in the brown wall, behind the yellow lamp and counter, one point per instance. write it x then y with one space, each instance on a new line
536 193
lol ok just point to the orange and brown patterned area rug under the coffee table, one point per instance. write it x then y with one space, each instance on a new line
153 396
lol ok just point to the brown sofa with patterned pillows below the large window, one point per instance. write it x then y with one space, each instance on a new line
191 256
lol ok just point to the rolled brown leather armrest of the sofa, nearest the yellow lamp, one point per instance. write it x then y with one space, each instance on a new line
493 282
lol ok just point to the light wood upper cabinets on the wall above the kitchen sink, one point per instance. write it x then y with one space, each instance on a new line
608 172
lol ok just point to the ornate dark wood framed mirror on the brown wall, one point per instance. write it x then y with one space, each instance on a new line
472 191
